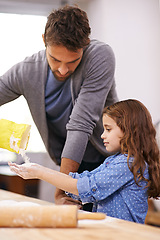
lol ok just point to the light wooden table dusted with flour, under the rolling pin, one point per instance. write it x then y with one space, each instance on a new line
110 228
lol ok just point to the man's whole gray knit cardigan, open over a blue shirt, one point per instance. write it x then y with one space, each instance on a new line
92 88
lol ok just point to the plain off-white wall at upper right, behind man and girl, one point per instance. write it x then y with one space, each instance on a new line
132 29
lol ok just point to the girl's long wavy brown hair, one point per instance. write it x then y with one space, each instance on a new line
139 141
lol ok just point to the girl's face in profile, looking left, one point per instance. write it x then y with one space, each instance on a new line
112 134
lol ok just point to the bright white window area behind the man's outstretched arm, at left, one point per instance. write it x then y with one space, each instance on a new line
22 36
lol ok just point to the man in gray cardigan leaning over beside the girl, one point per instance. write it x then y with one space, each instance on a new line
66 87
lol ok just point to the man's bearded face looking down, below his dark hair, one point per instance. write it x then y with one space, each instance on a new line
62 61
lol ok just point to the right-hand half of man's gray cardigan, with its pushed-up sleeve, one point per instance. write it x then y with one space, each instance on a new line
93 87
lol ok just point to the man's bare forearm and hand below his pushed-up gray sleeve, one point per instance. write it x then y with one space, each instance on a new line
67 165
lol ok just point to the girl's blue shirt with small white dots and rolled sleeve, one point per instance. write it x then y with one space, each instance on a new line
112 190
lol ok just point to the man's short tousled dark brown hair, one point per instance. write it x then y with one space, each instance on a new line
67 26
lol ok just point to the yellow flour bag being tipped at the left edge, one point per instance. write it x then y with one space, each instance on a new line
14 136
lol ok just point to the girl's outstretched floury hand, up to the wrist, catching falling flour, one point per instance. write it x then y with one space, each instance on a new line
26 170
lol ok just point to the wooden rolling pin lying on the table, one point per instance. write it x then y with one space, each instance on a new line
44 216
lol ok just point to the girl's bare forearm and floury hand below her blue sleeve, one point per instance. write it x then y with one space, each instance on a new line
58 179
